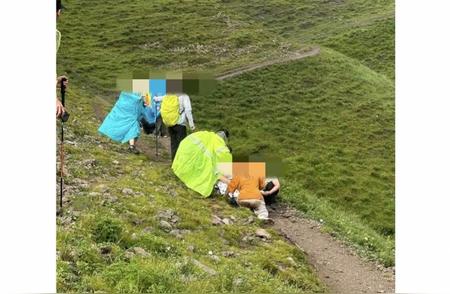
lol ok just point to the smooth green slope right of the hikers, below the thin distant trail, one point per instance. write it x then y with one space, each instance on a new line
331 119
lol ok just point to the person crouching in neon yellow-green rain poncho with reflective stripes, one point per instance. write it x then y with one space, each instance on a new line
200 159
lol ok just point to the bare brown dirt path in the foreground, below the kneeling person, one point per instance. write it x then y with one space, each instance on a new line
341 269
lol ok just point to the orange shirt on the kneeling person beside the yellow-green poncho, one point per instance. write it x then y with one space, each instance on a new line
249 188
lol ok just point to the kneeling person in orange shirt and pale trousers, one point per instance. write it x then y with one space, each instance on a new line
250 194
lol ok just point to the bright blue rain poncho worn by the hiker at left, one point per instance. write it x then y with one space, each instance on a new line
122 123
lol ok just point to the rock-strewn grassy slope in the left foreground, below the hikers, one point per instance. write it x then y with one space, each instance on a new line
111 237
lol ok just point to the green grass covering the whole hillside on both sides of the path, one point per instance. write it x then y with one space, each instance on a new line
330 117
